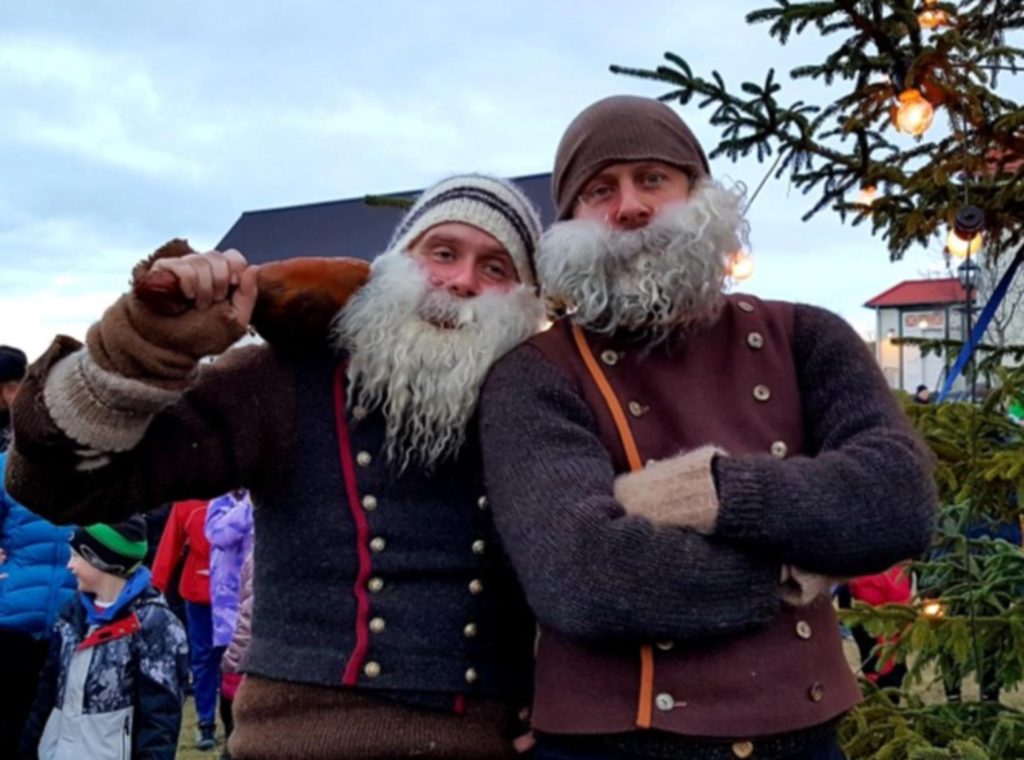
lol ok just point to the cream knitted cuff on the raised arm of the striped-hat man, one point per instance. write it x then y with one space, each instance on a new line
99 409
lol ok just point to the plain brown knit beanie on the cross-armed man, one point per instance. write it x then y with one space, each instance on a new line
620 130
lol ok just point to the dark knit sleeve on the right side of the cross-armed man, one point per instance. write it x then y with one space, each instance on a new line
863 498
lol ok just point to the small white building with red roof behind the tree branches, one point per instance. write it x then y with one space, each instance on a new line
932 310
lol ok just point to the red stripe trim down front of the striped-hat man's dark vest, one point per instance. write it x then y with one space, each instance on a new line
352 674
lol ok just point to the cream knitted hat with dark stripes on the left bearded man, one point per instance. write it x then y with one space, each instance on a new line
495 206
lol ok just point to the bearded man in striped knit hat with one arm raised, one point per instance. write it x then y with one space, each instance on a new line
387 620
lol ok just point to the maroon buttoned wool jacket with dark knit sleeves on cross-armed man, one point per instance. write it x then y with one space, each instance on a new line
796 401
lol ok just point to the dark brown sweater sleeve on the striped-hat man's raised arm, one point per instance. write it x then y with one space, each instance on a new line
230 429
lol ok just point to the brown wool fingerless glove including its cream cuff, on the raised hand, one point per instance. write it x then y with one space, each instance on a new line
137 362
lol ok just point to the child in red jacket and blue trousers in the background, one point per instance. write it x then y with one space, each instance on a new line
185 538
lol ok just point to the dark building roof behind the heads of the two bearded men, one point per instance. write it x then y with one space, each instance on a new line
350 228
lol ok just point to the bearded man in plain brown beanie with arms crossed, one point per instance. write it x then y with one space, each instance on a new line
678 474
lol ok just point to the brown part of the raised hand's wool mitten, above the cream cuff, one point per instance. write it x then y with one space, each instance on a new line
139 340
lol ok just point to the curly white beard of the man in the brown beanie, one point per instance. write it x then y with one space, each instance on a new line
667 275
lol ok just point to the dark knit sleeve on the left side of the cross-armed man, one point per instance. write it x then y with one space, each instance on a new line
589 570
